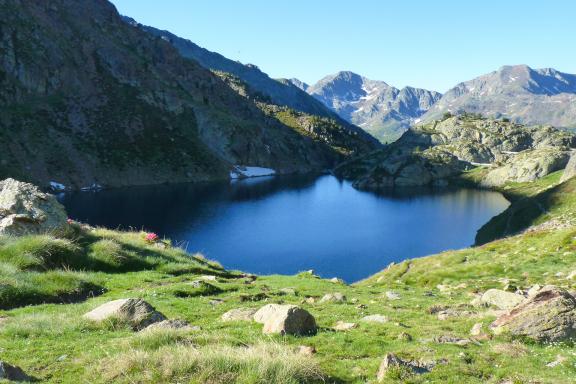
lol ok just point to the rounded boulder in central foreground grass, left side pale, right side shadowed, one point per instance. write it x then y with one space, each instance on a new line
285 319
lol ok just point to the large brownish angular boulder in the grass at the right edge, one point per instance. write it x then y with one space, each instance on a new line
550 315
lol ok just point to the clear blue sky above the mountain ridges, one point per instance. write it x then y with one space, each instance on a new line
428 44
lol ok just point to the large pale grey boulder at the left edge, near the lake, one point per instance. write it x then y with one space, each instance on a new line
24 209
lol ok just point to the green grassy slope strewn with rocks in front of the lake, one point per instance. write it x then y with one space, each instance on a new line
53 342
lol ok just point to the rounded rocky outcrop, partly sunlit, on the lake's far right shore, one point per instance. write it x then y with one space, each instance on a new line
435 153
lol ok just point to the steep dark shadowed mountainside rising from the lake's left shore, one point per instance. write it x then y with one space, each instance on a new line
86 98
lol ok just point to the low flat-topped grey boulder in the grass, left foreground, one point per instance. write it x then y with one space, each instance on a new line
137 312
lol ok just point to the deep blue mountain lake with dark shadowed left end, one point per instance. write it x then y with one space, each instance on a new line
293 223
